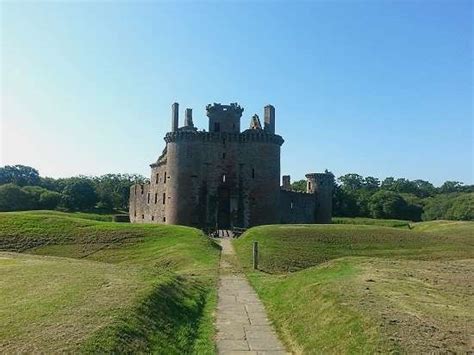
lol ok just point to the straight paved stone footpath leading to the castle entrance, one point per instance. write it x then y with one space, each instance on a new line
241 322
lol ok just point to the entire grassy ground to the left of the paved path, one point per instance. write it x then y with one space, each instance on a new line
84 285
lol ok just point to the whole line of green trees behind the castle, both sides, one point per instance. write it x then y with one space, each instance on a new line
22 188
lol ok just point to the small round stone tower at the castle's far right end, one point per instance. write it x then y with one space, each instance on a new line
322 185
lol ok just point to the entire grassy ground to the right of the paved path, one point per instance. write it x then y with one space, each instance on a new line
361 289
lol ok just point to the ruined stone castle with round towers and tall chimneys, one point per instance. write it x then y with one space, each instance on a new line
224 178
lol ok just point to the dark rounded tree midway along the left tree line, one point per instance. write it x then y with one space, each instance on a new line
79 194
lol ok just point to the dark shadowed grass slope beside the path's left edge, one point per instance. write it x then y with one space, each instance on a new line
167 321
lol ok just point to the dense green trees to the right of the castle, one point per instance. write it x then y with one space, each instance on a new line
415 200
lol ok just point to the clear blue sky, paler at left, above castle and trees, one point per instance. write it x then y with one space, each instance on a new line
381 88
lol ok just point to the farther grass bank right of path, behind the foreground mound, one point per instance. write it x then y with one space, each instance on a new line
288 248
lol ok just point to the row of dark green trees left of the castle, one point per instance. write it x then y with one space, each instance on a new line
22 188
